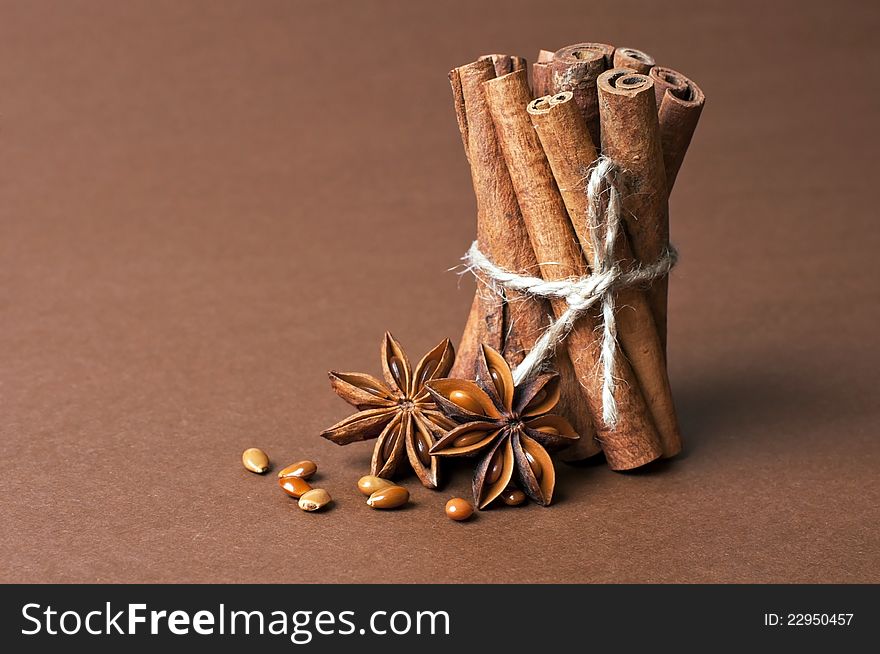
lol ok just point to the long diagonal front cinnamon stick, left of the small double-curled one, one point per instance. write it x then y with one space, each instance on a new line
634 441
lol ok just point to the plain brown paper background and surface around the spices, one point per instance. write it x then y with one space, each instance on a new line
206 206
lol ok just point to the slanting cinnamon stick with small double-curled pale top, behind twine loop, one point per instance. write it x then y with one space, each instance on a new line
570 152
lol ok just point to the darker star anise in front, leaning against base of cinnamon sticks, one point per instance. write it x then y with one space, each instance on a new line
509 425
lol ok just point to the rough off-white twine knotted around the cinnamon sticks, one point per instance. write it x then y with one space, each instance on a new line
581 294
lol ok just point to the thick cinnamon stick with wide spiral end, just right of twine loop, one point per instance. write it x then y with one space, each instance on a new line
631 138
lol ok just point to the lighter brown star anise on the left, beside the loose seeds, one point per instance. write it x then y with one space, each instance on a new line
399 411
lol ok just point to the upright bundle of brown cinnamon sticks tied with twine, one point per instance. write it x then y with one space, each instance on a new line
530 149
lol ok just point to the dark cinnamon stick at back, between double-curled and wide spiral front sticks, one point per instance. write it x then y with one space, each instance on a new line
576 68
